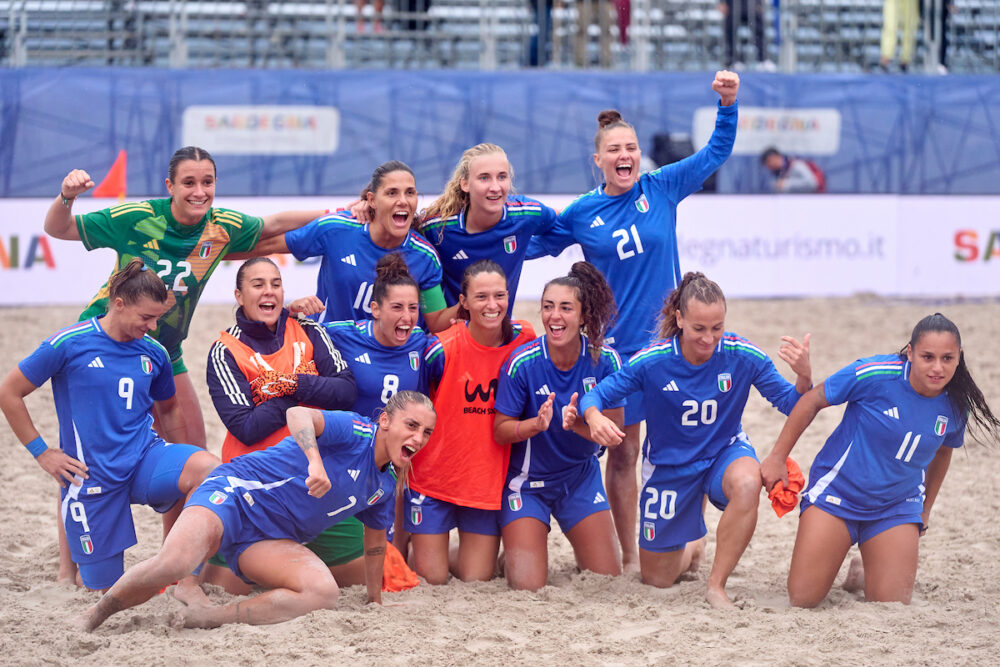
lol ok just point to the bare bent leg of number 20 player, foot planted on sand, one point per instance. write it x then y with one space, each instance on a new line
741 484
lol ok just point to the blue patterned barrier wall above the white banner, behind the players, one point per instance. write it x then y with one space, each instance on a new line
899 134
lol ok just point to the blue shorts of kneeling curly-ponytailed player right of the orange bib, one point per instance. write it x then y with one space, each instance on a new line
570 498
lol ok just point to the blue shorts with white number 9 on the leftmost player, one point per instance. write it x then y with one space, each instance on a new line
98 519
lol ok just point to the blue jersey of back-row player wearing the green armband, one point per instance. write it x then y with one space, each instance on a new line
347 270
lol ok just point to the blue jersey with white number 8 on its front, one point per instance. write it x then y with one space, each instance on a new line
381 371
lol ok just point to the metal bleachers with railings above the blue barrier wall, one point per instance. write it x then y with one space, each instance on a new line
791 35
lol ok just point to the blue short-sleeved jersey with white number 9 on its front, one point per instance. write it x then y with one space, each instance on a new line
104 392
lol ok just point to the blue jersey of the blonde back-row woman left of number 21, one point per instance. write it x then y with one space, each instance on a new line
505 243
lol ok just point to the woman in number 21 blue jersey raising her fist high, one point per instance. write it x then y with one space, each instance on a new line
627 227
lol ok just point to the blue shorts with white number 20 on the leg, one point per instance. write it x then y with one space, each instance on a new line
670 499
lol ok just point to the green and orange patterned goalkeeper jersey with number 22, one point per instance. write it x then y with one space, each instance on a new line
184 256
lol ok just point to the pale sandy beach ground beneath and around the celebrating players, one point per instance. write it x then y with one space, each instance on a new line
578 619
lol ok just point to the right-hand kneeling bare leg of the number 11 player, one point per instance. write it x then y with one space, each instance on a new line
890 564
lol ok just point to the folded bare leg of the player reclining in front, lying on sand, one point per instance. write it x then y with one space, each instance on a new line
299 583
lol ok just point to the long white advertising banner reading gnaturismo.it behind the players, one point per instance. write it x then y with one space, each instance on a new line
754 246
